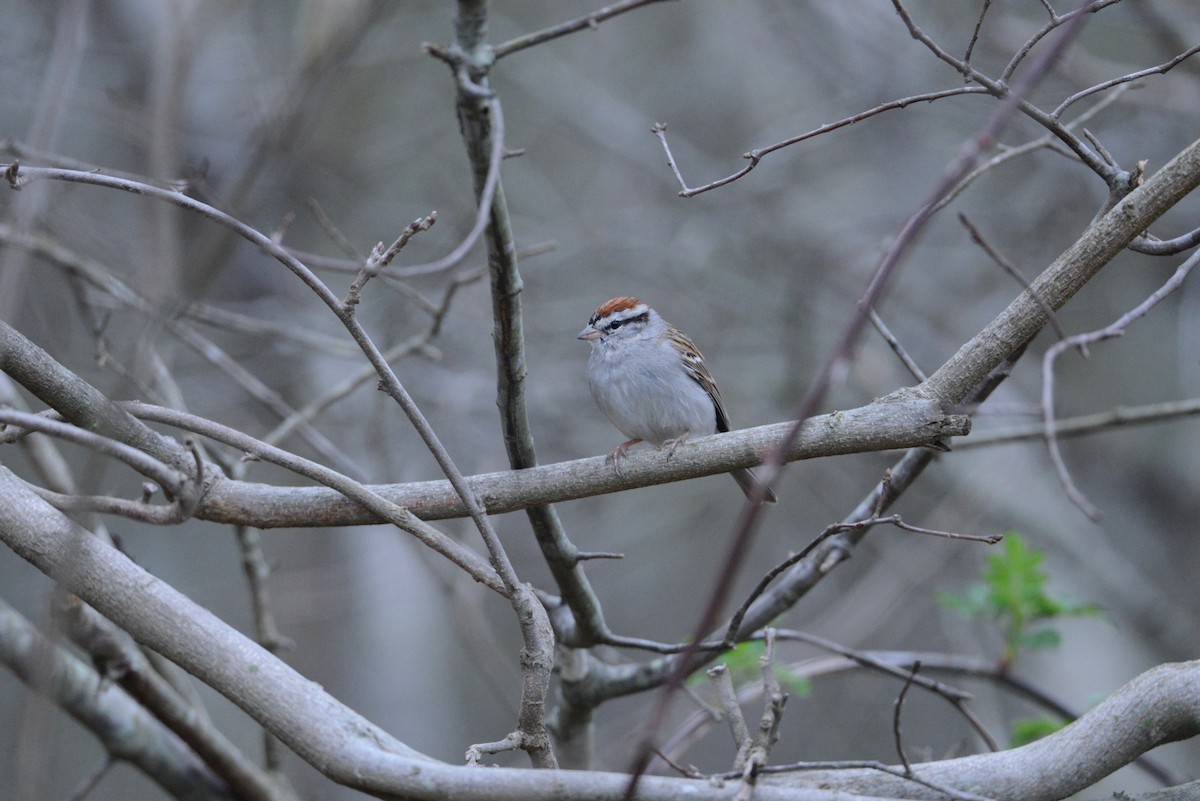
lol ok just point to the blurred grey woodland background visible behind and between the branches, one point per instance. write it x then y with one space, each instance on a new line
271 106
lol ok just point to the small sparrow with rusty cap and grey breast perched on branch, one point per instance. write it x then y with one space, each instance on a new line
651 382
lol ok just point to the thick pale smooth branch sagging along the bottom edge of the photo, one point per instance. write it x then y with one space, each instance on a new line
1160 707
